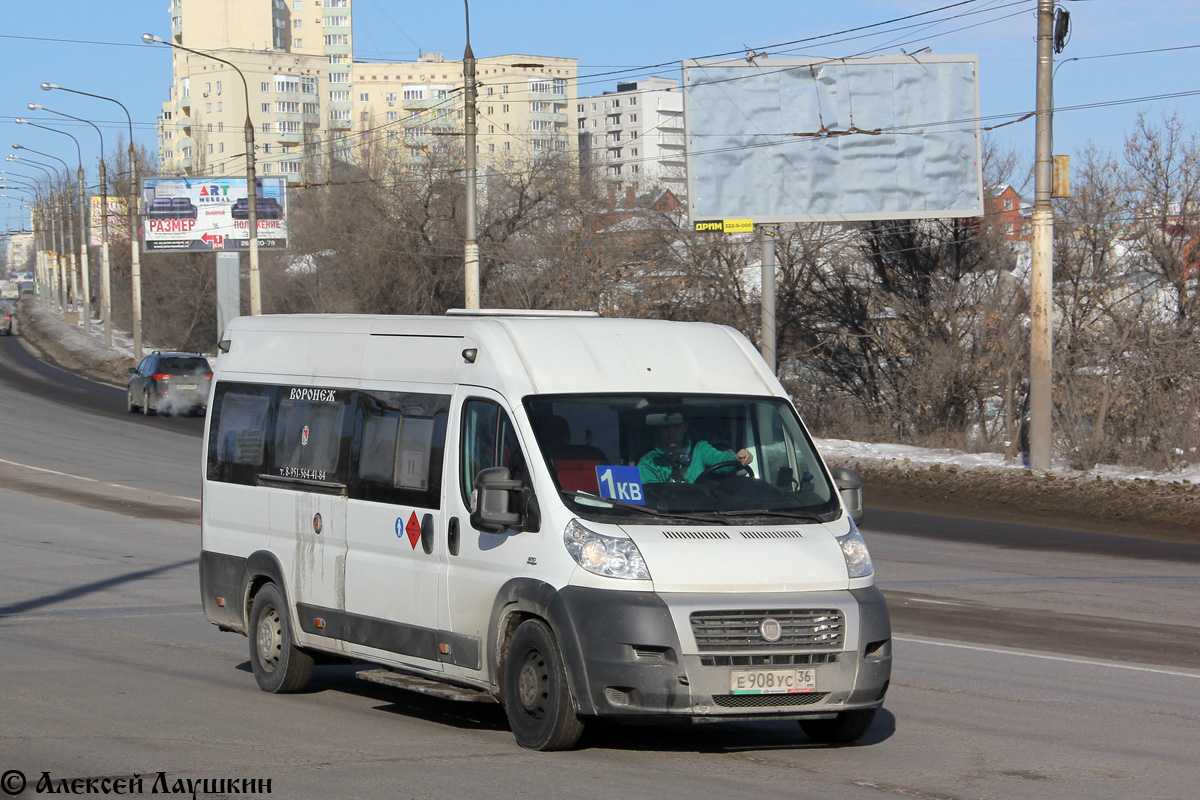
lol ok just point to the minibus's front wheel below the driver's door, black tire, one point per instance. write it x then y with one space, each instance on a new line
537 696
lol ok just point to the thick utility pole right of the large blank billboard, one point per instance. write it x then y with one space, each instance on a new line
1042 273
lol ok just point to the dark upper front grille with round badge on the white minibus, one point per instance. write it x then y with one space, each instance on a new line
800 630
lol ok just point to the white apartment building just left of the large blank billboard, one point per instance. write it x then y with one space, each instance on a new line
634 137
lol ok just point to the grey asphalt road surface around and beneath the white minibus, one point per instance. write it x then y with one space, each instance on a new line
1031 663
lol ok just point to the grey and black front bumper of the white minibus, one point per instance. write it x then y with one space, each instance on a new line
639 655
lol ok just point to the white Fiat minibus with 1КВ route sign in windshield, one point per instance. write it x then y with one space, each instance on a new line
577 518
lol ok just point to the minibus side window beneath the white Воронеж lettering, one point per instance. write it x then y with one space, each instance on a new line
311 436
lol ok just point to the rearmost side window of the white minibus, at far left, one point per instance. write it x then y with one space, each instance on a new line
238 432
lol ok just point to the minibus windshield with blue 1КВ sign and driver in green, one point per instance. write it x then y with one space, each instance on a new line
638 459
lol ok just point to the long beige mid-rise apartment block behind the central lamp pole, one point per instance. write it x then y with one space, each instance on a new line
416 110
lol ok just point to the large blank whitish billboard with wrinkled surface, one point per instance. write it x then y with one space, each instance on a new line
813 141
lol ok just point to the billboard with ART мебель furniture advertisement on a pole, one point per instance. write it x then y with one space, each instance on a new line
196 215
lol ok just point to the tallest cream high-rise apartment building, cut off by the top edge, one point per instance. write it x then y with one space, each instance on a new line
296 58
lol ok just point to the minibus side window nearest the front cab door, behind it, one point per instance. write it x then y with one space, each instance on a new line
399 448
